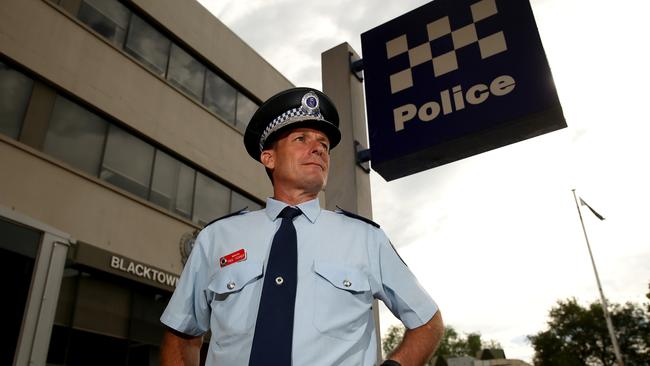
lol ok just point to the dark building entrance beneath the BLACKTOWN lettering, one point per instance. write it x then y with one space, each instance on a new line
103 319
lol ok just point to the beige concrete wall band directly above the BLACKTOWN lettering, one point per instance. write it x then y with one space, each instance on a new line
87 208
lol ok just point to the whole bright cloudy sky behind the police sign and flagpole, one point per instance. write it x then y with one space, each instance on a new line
496 238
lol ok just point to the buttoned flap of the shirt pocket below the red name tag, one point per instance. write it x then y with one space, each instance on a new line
235 277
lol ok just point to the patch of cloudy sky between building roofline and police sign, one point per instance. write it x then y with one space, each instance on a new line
291 35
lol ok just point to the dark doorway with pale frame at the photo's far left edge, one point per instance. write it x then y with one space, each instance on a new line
32 259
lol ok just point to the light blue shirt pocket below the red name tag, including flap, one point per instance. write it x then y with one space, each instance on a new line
233 292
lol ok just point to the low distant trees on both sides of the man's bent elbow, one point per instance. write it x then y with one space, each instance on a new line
451 345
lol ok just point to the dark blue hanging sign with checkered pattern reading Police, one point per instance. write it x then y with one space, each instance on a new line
452 79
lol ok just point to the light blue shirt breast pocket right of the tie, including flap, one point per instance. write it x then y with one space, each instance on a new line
343 300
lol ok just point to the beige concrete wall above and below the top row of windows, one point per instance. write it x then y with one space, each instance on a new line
66 54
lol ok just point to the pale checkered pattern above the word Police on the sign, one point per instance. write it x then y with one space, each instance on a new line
447 62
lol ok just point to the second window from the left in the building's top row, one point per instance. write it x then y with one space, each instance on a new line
148 45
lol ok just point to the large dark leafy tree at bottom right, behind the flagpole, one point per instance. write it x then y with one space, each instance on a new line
578 335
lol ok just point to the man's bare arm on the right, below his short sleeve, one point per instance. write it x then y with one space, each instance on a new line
419 344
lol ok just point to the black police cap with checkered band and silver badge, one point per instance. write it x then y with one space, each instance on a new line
289 109
